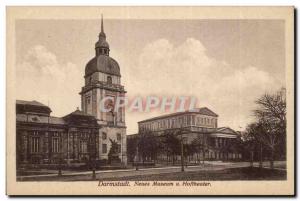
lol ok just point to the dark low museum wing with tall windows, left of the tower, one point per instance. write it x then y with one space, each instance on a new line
44 139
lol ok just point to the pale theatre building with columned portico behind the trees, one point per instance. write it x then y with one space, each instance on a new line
198 127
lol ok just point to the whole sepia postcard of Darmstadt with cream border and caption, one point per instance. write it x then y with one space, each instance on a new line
150 101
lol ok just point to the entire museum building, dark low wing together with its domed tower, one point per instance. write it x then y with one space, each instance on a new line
82 135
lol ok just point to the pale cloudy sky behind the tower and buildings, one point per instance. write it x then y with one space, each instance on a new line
225 64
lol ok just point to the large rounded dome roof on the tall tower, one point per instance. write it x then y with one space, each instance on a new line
104 64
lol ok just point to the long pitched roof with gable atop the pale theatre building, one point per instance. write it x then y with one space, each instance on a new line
203 111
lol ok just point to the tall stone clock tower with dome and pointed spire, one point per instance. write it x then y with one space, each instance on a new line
103 82
